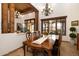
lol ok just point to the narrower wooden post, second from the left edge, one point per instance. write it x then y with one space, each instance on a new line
12 10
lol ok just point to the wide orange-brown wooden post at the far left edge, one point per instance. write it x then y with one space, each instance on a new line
4 18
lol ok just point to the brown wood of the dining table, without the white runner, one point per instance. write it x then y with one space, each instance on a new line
46 45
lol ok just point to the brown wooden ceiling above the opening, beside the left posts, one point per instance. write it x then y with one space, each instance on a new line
24 7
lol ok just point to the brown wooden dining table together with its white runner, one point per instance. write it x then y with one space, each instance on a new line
46 44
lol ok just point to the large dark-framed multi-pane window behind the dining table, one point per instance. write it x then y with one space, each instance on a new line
56 25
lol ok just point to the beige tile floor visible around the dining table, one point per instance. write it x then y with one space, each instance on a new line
67 49
